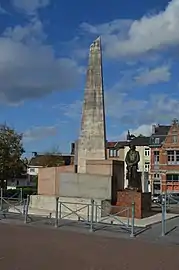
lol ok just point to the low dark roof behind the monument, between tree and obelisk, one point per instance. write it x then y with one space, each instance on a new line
50 160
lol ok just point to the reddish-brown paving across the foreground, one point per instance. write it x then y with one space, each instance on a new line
33 248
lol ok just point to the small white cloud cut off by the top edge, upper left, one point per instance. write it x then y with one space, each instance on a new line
30 6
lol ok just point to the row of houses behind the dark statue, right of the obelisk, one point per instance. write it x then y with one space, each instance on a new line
159 157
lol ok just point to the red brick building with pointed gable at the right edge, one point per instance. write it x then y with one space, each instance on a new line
164 165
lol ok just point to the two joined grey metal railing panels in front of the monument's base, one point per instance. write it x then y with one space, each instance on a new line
94 216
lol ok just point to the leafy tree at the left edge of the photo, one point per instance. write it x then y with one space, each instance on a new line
11 150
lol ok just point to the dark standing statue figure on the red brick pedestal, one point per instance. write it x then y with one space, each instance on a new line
132 159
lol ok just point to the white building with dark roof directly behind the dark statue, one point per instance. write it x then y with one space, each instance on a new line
142 145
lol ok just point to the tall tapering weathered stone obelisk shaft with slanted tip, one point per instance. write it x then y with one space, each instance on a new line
92 139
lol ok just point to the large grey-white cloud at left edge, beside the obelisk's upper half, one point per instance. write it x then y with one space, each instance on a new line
29 68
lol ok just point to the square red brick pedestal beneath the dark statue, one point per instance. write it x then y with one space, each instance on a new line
142 201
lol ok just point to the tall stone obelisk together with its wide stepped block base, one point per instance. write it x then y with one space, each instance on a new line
92 176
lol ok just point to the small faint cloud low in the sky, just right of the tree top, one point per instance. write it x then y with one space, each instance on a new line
39 133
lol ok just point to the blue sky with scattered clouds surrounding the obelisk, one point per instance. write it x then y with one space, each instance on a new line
43 57
